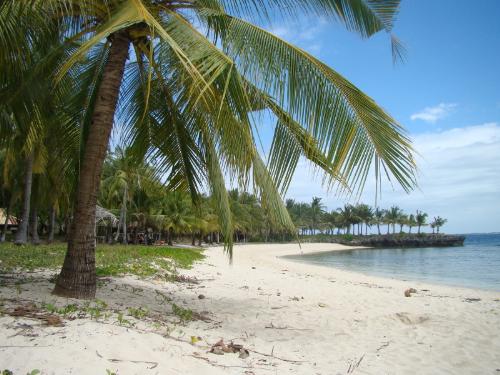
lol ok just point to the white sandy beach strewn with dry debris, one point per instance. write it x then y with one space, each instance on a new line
330 321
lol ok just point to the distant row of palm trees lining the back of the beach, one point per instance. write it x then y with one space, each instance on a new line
147 210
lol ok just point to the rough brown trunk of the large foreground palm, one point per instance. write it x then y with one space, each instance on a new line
78 278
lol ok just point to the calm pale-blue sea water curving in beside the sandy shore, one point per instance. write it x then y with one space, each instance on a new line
475 265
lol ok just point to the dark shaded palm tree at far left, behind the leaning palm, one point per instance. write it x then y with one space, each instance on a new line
34 122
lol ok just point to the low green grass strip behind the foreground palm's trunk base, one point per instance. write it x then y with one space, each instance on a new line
111 260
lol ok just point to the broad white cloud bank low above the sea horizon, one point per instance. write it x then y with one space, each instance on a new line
459 178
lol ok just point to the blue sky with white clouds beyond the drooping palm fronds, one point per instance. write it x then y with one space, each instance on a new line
446 94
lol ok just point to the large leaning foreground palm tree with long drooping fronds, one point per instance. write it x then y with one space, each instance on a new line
185 97
